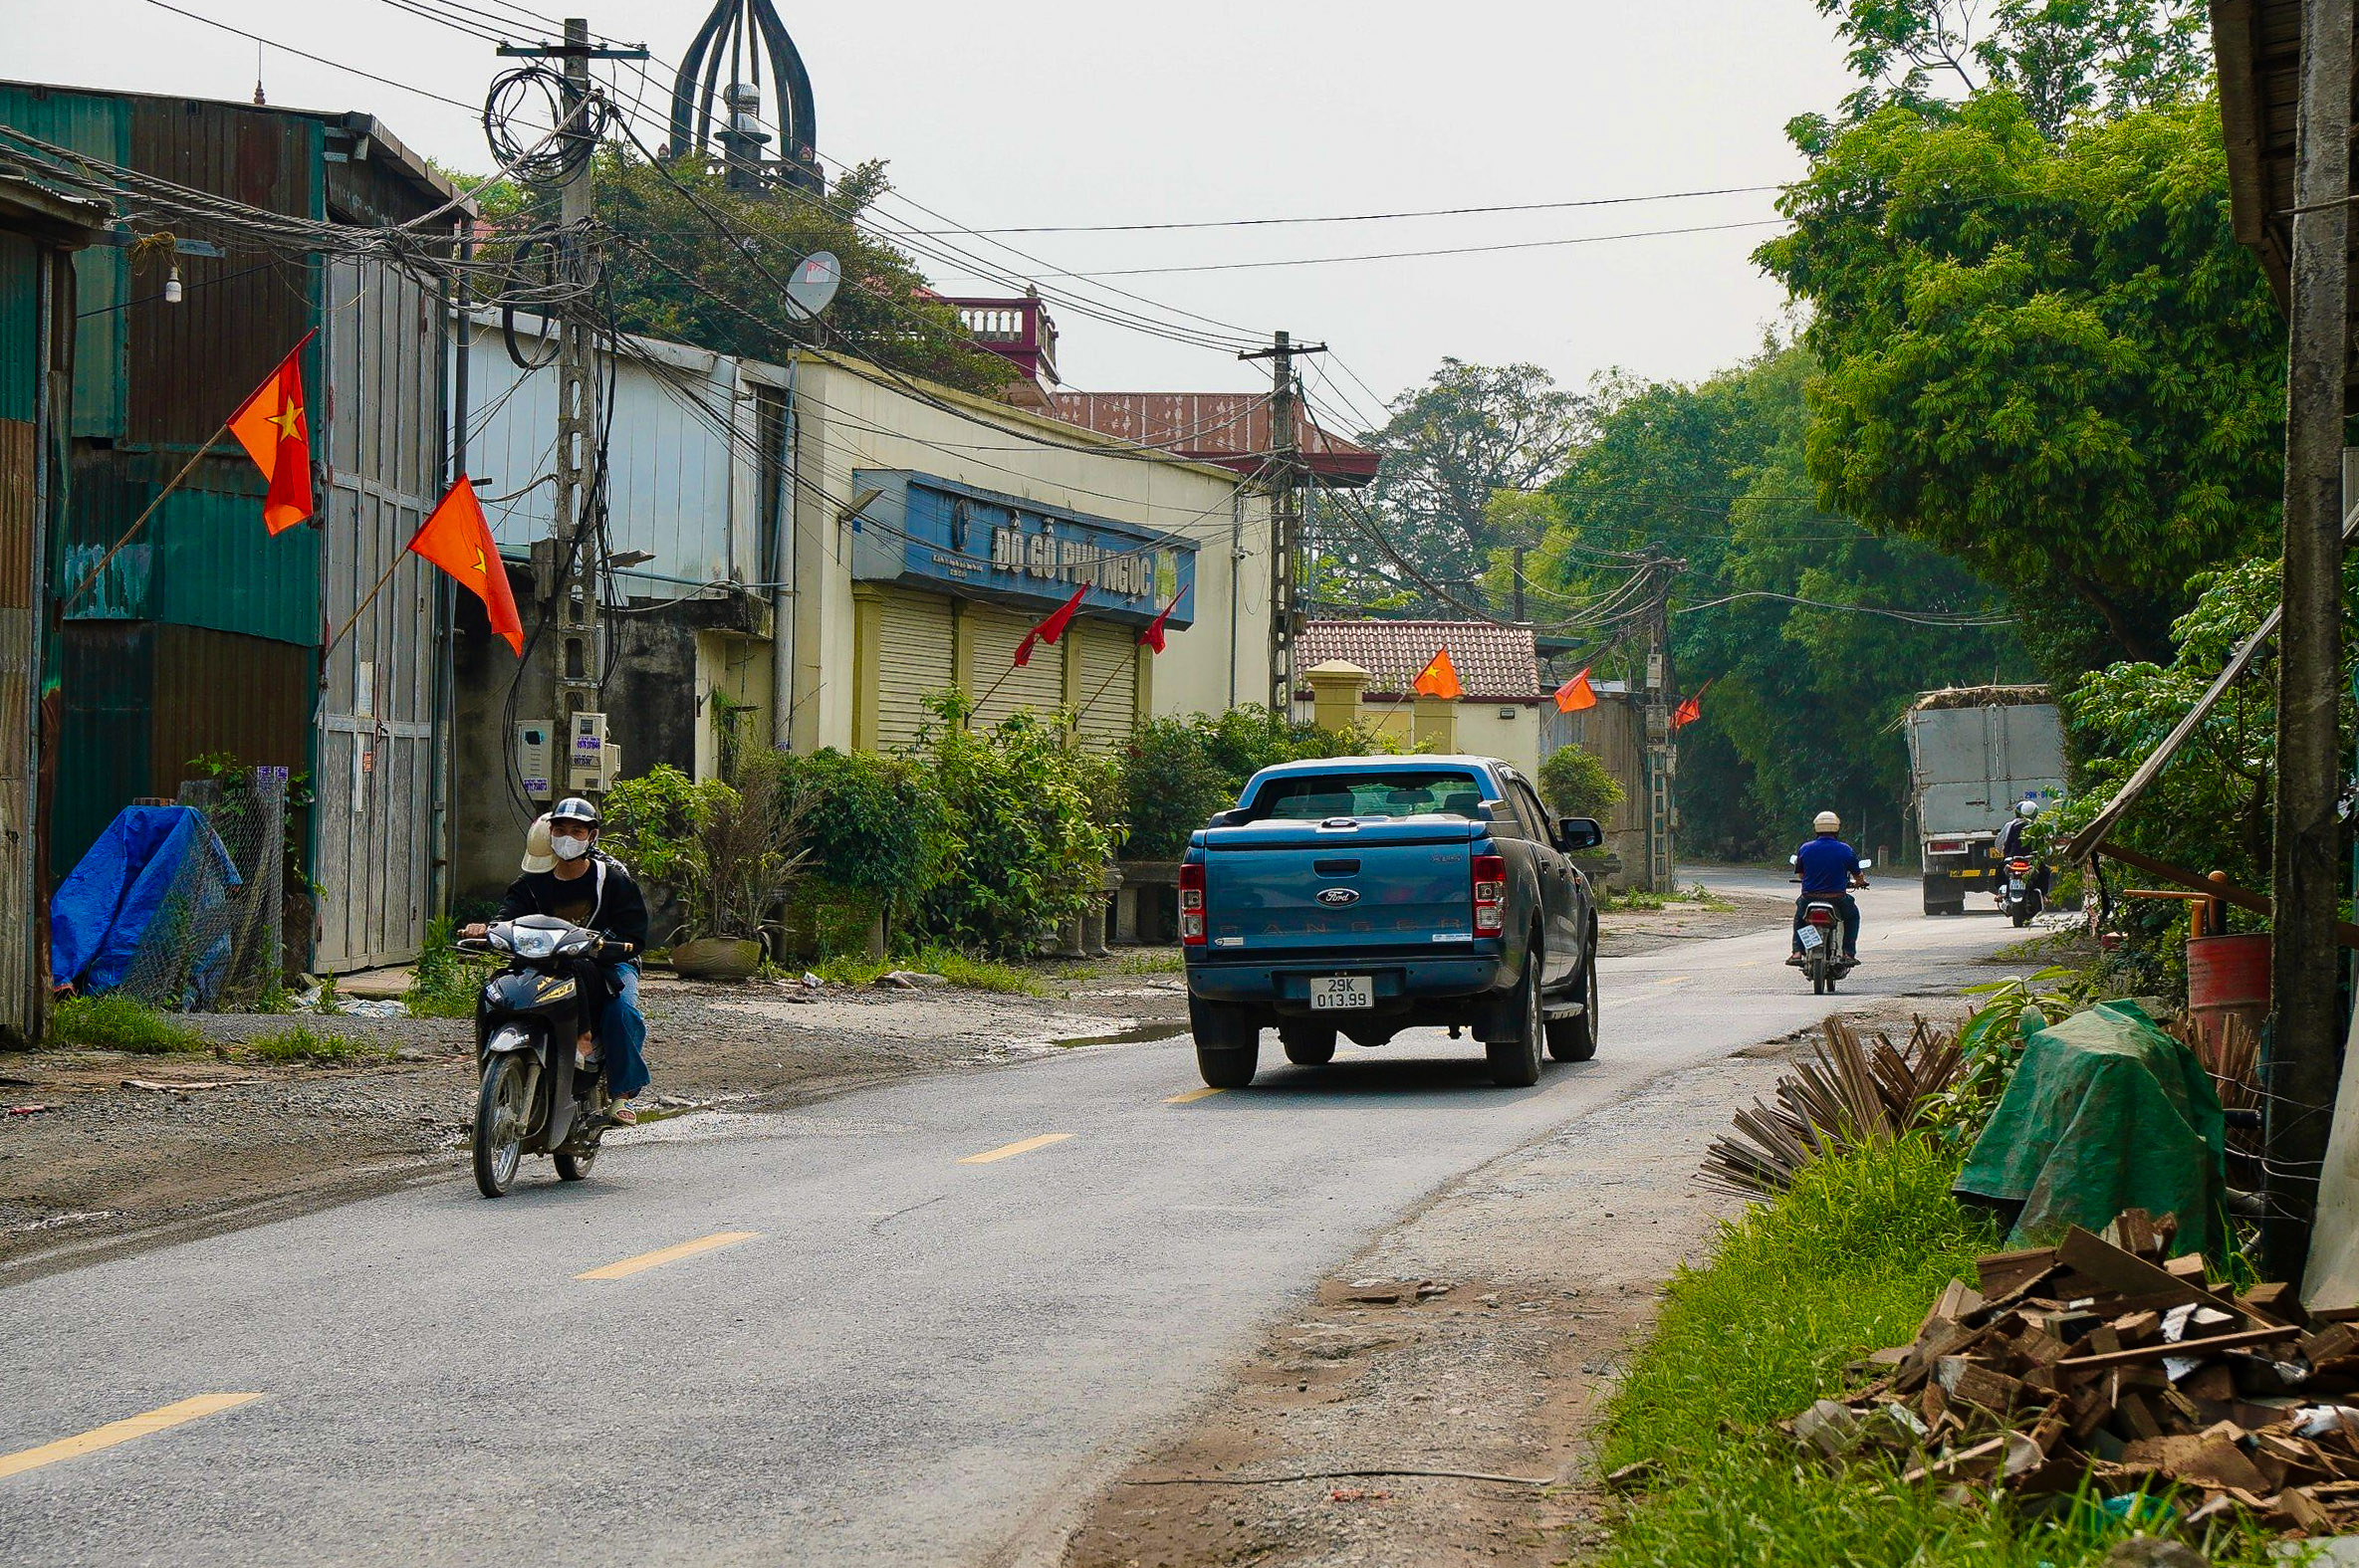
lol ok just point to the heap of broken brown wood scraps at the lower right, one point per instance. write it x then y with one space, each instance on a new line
2103 1364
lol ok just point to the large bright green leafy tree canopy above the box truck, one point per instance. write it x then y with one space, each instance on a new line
2049 360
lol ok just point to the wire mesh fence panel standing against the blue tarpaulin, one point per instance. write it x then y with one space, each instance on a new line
216 937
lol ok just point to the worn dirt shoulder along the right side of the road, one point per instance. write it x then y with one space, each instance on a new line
1445 1350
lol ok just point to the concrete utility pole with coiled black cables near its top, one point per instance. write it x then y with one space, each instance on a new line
574 551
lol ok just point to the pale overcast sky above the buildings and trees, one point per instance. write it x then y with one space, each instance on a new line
1065 112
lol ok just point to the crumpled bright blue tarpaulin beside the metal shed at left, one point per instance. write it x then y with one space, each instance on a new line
121 897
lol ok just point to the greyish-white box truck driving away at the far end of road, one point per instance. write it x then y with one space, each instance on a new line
1973 753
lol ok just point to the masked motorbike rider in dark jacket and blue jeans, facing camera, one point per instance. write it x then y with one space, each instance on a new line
593 890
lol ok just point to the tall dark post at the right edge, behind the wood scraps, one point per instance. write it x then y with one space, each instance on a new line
2301 1065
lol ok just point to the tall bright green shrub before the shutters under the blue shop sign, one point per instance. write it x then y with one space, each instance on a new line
1027 829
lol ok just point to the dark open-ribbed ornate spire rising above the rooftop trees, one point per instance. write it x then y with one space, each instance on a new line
728 119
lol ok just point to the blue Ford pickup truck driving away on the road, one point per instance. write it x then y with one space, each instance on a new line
1369 895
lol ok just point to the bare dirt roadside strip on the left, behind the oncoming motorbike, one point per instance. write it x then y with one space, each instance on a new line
225 1140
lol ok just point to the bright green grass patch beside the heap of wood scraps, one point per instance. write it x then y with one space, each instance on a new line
1794 1291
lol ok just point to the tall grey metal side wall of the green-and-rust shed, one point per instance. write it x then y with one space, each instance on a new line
376 746
